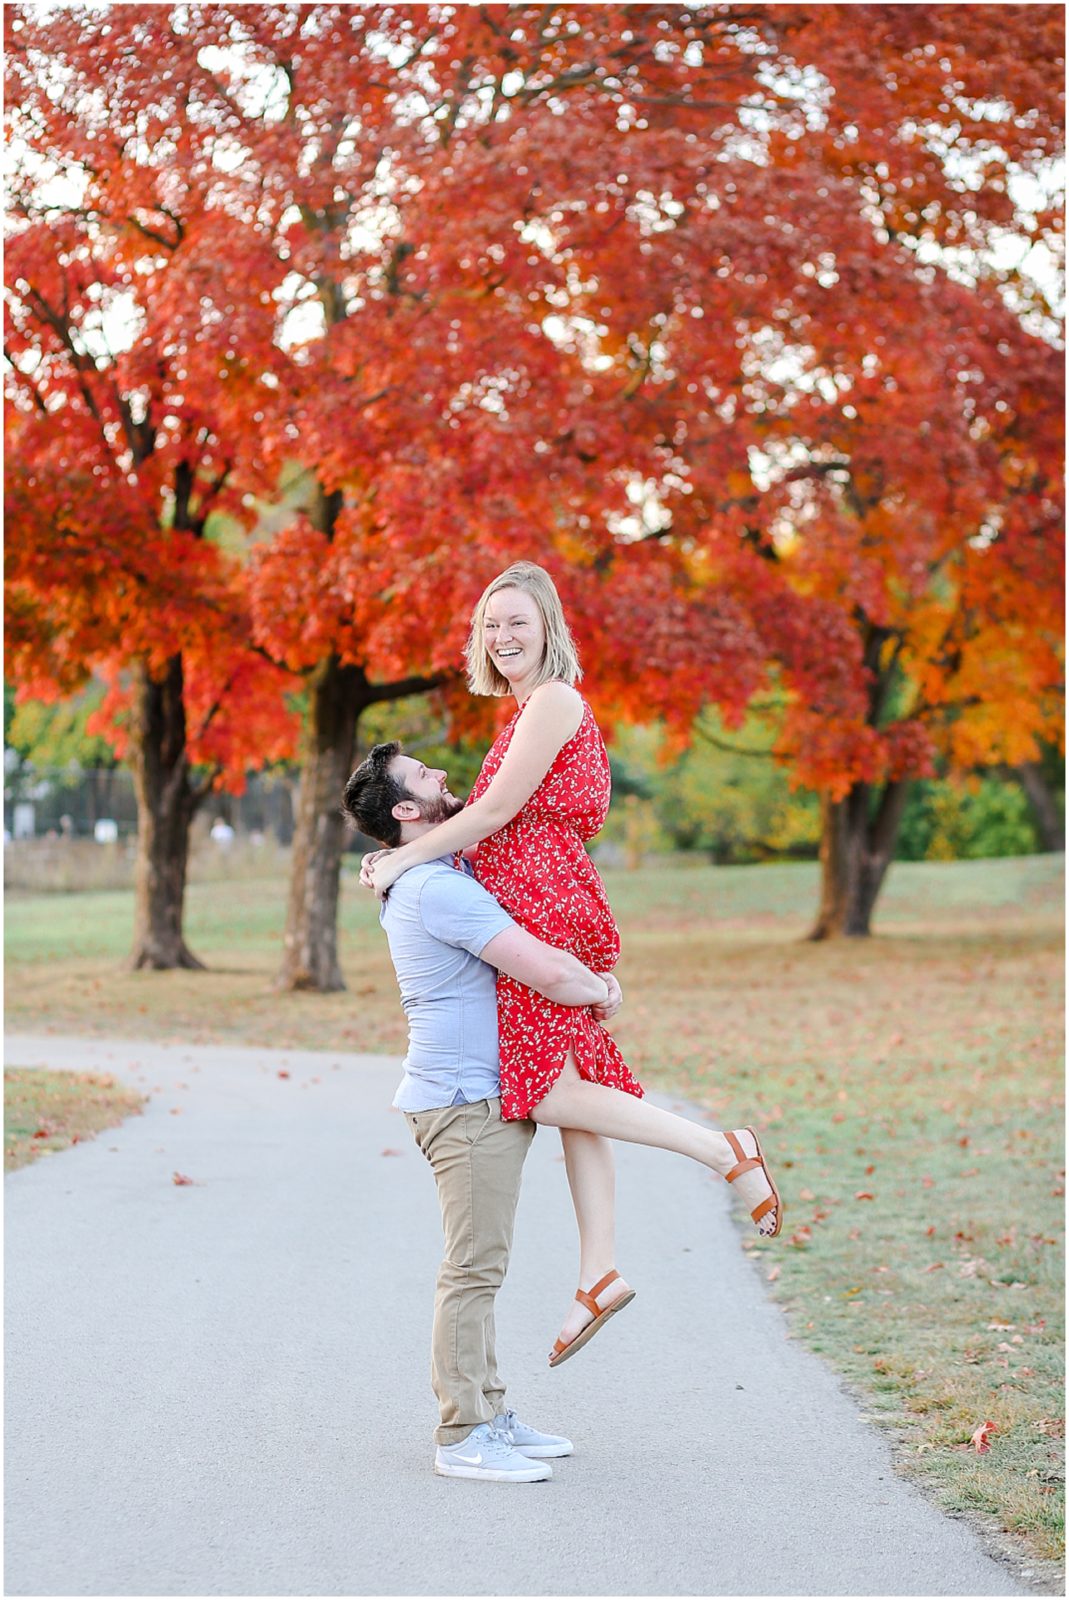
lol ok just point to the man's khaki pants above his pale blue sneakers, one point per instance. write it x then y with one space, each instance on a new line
478 1161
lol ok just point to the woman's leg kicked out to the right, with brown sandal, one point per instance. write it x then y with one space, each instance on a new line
595 1108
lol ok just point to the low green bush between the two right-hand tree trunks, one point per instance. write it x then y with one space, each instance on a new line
967 822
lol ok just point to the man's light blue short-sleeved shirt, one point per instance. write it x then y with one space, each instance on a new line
438 922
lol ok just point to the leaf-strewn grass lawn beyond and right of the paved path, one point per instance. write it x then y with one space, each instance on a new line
921 1068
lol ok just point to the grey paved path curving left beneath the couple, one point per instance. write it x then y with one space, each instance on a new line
222 1390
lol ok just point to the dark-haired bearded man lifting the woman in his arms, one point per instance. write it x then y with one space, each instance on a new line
449 938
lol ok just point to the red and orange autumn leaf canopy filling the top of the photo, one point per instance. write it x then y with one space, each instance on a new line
699 308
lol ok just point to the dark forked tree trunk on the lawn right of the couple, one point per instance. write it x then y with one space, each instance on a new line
857 850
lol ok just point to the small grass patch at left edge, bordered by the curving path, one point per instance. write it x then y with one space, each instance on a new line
50 1111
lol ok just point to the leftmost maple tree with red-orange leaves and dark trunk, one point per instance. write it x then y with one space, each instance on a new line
119 452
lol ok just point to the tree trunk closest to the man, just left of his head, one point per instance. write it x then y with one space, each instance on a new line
310 961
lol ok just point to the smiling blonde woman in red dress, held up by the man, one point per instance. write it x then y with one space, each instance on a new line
542 794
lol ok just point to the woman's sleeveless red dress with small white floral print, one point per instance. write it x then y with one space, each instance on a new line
539 870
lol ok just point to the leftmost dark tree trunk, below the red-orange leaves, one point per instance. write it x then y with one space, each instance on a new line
167 802
